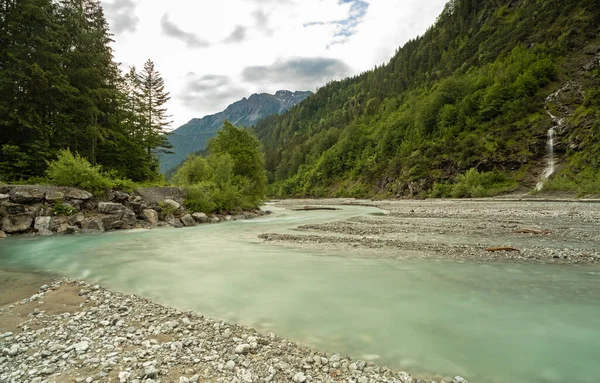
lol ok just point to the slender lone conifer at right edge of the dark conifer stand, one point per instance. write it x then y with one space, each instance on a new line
155 118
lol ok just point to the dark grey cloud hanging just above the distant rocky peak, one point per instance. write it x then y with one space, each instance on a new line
298 70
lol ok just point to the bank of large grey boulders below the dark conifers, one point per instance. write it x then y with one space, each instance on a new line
47 210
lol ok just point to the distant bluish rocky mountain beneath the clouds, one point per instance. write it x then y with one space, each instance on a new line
193 136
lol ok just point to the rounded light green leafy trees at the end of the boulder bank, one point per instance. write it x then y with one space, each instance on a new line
230 178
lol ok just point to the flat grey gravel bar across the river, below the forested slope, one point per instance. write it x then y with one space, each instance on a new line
476 230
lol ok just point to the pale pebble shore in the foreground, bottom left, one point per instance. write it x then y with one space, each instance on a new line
70 331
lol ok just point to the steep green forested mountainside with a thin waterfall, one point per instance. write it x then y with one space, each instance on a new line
496 96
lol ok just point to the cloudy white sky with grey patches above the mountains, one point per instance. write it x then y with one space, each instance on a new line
213 53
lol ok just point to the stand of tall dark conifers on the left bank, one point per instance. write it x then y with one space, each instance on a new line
61 89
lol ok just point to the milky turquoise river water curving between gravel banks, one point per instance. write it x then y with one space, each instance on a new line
498 322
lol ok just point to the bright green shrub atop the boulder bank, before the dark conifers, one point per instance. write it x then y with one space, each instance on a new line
73 170
